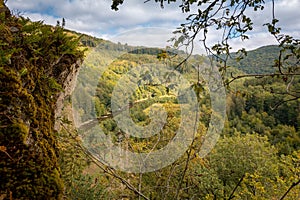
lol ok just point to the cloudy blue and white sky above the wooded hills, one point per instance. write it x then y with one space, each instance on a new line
139 23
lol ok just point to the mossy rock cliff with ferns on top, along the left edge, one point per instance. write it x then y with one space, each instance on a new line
38 68
